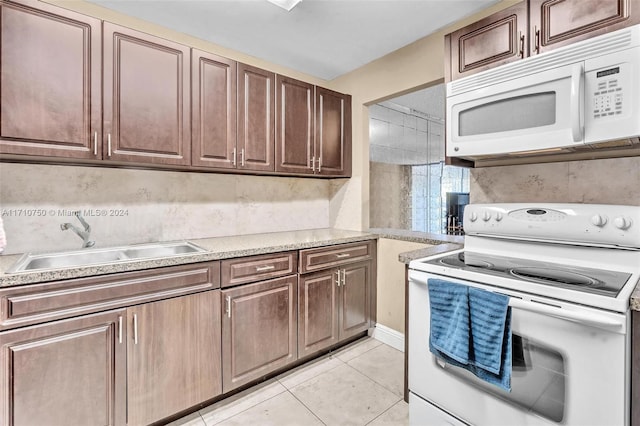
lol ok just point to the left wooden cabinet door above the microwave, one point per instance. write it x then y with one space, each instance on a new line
495 40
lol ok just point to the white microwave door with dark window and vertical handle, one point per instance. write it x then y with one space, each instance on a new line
541 111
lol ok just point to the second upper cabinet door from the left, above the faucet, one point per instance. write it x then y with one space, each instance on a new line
147 116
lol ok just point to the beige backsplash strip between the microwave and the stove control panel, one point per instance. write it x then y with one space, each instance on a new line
604 181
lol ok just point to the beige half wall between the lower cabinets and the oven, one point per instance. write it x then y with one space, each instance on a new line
391 279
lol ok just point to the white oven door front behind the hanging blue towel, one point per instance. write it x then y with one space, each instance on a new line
570 365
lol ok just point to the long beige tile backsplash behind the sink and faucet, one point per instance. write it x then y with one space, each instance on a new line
125 206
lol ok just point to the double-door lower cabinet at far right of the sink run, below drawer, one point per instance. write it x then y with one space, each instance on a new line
334 305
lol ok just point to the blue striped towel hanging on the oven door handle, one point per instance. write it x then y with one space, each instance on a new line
471 329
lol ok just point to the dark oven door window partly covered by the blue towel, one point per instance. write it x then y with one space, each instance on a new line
537 379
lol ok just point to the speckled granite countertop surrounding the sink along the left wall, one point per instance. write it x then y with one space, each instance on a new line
216 249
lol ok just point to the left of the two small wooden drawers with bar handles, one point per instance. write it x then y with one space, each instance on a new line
257 268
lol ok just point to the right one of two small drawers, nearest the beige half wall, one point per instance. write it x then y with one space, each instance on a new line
328 257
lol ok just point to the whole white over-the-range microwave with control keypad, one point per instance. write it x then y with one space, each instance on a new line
582 94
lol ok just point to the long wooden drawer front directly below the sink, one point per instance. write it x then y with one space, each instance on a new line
37 303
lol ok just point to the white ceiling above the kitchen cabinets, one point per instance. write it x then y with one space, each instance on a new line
323 38
